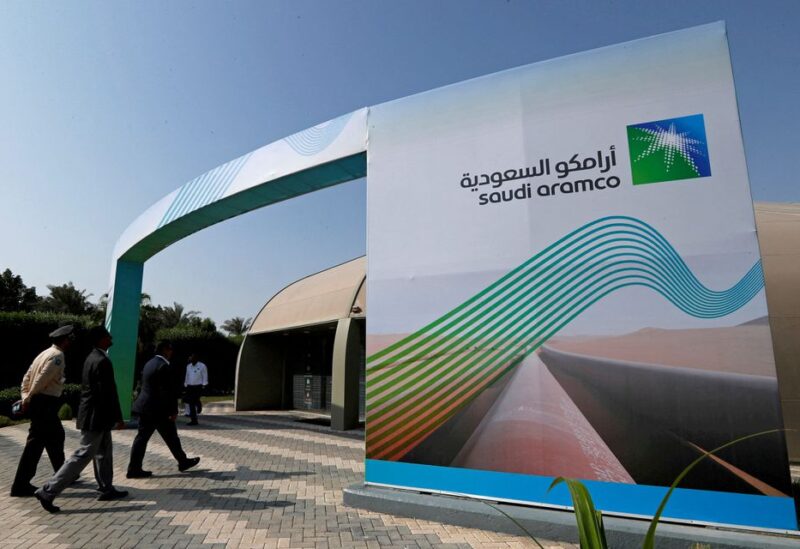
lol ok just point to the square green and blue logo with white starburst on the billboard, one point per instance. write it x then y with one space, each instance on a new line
668 150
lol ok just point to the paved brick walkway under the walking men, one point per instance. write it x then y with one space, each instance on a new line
265 480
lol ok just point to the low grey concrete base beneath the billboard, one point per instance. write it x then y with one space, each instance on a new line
550 524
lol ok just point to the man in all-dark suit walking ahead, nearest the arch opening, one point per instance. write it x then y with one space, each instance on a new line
157 408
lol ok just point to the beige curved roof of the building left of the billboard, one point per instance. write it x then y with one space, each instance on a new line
338 292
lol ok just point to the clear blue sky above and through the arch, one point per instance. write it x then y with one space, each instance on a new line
105 107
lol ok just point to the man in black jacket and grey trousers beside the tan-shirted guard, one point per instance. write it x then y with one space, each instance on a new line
99 413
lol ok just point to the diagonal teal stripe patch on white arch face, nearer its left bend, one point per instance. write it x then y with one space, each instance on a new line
204 190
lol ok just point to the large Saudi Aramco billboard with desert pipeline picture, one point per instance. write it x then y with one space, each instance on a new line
564 280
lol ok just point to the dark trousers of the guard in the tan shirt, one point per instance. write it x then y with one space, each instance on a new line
45 433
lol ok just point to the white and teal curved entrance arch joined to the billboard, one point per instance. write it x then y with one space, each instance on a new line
322 156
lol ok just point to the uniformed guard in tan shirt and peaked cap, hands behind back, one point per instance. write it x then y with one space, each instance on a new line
41 398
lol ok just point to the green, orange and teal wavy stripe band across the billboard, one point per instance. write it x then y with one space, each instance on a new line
418 383
